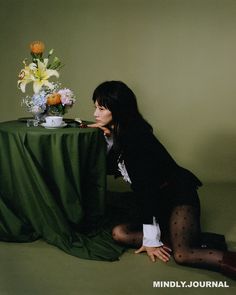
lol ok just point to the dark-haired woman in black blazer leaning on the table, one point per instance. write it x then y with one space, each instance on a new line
165 193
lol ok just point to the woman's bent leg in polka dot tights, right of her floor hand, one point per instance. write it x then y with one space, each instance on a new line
184 237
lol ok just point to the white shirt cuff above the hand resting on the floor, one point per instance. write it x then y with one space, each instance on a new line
152 234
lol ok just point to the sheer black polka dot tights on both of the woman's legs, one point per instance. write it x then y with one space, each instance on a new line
184 233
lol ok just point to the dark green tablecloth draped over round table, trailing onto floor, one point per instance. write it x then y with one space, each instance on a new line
52 181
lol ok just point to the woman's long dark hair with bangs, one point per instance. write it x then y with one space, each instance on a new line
120 100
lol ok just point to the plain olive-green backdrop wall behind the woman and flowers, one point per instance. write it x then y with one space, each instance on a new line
177 55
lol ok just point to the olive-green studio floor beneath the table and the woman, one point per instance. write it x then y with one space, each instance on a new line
41 269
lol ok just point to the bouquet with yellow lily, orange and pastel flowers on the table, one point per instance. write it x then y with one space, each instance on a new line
48 97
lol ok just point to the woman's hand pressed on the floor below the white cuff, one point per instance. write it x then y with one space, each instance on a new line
154 253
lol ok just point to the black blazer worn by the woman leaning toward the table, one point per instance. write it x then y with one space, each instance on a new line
151 169
